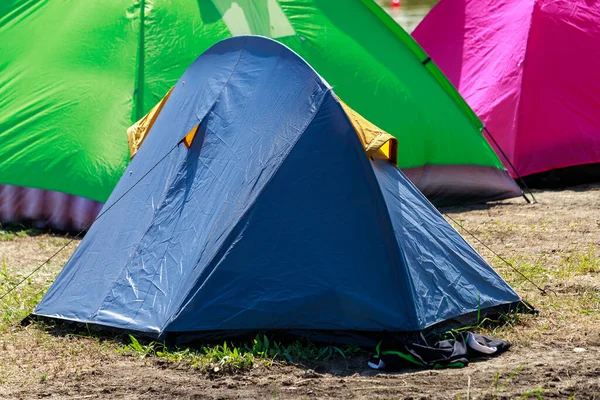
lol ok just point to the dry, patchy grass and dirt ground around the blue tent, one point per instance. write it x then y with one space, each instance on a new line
556 354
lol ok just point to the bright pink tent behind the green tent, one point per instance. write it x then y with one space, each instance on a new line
530 69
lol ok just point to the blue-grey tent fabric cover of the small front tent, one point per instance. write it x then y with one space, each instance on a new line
273 219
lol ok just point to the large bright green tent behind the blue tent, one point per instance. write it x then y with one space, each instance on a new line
75 74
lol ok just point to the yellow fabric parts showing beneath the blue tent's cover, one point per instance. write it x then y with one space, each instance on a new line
376 142
